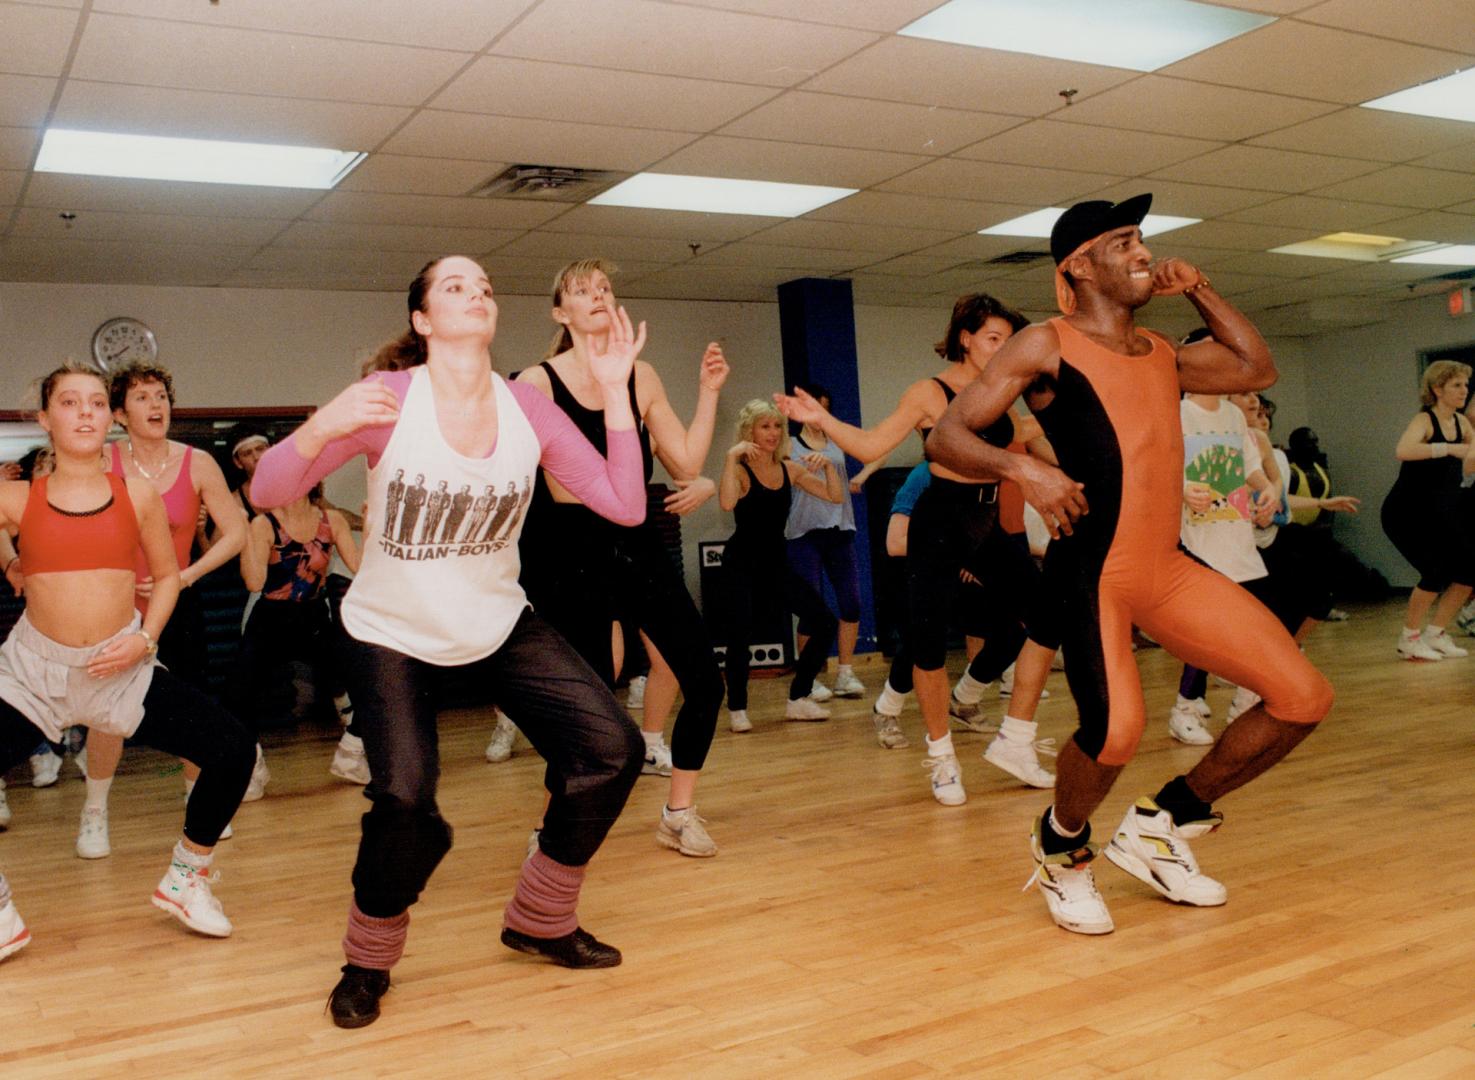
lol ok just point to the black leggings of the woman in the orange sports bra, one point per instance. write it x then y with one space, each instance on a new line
179 721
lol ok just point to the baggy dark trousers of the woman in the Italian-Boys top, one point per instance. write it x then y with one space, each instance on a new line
592 749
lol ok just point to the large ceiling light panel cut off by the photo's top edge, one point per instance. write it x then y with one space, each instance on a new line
1134 35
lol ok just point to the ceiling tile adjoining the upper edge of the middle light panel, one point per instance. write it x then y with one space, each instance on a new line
788 163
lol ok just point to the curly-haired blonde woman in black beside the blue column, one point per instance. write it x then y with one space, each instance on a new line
756 486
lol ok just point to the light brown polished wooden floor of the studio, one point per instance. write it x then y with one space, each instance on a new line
850 927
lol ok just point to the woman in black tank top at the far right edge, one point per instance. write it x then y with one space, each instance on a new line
1424 513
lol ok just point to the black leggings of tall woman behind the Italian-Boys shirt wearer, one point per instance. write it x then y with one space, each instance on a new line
589 575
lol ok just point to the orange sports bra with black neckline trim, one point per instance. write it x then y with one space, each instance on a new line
57 541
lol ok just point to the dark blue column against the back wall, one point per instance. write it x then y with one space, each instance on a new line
818 328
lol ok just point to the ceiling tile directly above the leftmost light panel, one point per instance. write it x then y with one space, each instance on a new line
201 114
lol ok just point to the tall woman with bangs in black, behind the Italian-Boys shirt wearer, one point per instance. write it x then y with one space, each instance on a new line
583 573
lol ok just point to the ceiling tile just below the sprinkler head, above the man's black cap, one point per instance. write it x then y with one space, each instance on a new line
1049 144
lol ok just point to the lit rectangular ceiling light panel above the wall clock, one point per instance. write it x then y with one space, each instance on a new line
206 162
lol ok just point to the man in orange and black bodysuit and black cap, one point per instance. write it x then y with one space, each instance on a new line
1107 395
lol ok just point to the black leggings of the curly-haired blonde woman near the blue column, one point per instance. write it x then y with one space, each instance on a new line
754 585
